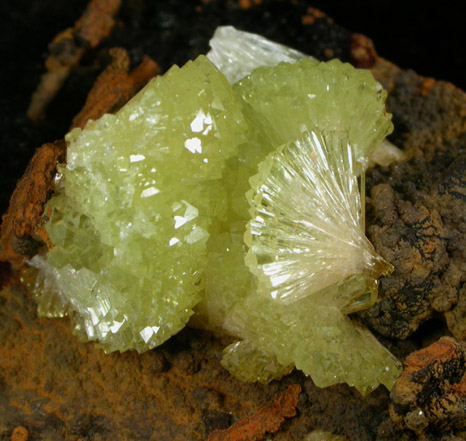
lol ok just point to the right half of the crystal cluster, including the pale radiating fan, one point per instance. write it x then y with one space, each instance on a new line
234 300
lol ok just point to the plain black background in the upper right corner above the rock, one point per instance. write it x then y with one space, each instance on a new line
427 37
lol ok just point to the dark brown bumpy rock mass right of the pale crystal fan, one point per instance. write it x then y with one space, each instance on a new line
416 213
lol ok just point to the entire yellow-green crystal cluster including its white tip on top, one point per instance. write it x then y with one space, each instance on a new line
236 206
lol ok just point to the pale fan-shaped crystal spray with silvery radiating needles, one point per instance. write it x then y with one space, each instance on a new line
305 232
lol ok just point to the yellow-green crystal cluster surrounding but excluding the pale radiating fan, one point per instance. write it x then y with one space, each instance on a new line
149 218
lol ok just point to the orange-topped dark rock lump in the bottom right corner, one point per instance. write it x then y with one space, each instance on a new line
432 388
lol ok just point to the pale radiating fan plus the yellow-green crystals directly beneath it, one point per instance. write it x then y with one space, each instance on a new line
305 215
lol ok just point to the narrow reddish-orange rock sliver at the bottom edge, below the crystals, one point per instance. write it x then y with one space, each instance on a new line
266 420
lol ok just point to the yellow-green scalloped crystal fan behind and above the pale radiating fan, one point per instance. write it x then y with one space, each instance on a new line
289 99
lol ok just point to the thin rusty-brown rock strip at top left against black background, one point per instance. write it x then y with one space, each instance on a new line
68 48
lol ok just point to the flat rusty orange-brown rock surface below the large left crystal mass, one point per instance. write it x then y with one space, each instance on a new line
59 388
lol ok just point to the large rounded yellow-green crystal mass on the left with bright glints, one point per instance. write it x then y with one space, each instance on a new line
131 219
